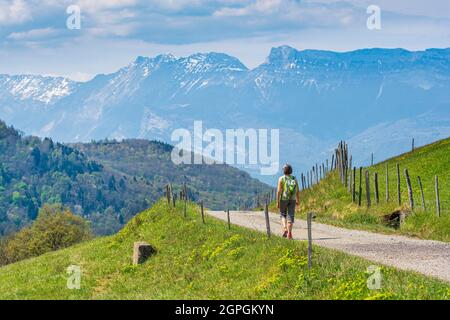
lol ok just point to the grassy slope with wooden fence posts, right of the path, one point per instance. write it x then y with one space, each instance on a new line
333 203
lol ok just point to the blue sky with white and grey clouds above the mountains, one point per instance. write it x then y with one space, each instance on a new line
34 37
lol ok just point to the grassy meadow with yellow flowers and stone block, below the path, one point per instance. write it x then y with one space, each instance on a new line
196 261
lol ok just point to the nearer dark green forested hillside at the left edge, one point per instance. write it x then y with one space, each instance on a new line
34 172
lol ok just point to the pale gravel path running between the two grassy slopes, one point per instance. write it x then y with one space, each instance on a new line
431 258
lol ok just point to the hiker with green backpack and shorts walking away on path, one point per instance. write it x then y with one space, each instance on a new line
288 196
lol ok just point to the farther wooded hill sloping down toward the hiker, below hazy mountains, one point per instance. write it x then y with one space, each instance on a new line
217 185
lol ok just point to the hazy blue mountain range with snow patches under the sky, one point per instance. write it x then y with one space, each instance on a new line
314 97
